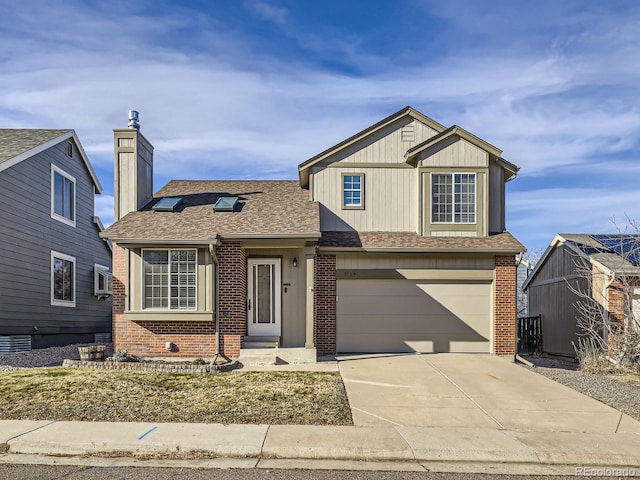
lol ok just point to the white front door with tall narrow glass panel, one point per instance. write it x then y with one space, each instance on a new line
264 290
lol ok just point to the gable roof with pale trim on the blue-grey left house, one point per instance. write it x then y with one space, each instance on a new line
19 144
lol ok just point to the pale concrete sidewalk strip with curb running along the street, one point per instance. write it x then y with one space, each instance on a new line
450 449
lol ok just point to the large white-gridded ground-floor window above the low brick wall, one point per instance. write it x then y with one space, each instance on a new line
170 279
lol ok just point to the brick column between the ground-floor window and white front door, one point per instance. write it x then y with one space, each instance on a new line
233 296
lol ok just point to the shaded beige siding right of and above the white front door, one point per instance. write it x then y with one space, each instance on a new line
294 299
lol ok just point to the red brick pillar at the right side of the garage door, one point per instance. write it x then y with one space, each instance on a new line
505 305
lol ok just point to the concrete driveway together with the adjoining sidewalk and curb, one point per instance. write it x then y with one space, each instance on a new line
472 422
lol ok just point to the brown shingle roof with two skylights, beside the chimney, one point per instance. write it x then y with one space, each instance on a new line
266 209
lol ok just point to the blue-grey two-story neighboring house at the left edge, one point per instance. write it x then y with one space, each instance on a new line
54 267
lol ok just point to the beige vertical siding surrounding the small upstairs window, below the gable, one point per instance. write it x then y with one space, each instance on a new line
390 201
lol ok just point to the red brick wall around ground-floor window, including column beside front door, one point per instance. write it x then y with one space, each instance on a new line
191 339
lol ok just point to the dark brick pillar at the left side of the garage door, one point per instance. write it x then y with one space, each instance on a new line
324 304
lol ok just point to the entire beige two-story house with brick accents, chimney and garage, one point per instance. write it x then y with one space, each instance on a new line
393 240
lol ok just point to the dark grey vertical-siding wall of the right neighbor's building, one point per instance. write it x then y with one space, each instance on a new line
551 297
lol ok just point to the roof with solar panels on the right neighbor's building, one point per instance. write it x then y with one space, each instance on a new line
586 246
